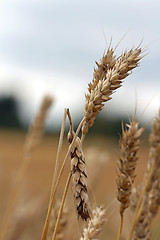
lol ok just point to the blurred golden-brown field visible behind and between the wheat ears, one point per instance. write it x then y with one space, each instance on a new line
28 218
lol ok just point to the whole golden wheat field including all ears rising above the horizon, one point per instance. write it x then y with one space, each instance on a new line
80 187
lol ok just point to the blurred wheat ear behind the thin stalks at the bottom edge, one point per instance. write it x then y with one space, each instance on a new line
62 223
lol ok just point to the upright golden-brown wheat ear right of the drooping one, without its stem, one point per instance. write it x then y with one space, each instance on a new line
129 146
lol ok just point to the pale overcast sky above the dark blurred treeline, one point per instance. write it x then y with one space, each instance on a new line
49 46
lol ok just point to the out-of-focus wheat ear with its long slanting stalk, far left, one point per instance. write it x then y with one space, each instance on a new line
32 140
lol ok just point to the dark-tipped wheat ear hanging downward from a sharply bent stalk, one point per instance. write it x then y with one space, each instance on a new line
79 178
